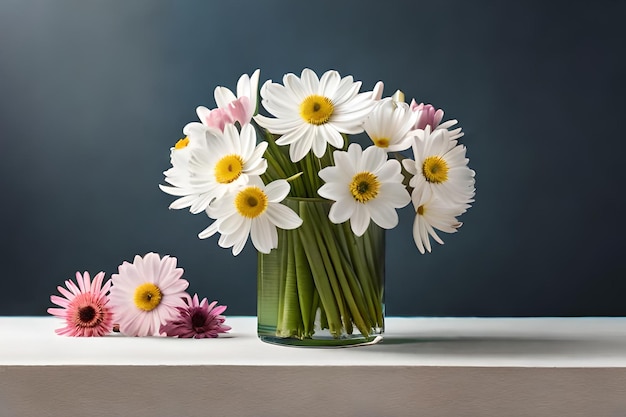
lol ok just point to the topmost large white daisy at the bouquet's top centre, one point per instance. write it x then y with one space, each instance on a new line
312 112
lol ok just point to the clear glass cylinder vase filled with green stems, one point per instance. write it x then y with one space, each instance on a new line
323 285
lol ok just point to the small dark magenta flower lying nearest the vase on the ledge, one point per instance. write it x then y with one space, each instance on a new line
197 320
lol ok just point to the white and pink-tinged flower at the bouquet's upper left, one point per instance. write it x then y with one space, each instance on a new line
230 108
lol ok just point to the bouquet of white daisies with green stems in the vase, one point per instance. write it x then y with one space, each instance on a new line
255 174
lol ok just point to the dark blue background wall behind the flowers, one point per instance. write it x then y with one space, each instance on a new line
93 94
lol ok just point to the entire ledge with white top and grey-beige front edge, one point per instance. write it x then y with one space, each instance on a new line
426 367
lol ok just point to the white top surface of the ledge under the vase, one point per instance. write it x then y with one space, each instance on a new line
484 342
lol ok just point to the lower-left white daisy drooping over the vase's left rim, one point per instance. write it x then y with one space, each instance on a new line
253 210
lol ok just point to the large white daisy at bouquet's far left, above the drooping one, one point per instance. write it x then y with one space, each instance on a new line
222 162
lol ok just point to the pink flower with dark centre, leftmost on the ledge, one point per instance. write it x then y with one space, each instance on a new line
84 307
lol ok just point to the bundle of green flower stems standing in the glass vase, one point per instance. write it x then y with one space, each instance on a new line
321 276
